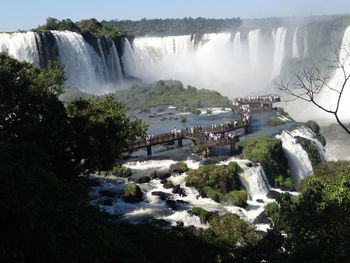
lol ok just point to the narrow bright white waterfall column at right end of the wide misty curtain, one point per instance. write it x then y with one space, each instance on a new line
279 37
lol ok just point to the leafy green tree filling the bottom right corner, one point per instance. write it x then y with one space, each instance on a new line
317 222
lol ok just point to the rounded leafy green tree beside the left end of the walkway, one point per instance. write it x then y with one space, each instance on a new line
102 131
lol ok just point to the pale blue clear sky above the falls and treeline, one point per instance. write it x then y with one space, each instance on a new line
27 14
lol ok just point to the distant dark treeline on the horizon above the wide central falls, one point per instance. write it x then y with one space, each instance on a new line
168 26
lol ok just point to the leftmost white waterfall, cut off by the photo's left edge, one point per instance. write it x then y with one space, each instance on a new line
22 46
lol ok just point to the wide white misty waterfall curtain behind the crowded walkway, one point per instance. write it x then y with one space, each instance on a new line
229 63
